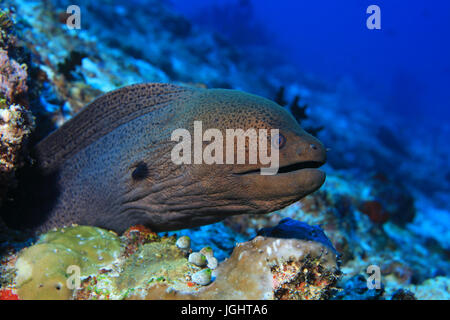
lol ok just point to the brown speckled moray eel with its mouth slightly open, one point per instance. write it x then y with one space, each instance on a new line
110 166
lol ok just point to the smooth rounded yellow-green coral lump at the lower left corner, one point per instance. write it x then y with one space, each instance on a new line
42 269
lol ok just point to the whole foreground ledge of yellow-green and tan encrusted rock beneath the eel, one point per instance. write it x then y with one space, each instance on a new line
142 265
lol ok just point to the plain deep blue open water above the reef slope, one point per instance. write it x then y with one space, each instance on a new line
405 65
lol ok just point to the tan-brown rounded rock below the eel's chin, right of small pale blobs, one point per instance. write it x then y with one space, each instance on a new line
268 268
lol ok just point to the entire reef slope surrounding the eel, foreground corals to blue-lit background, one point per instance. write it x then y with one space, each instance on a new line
379 206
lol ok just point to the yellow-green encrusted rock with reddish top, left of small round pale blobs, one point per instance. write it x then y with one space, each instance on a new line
110 267
